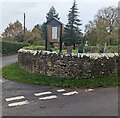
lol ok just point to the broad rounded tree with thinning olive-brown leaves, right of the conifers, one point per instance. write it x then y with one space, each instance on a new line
105 27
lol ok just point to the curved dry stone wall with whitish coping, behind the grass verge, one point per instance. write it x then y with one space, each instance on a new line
69 65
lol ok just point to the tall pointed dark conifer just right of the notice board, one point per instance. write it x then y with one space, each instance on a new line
72 31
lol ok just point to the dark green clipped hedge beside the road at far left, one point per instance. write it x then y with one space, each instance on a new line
10 47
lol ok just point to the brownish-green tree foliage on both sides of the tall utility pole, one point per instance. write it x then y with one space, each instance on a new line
15 32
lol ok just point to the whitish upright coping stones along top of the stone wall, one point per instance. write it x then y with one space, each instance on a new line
90 55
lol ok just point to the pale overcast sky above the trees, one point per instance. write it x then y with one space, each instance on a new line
36 10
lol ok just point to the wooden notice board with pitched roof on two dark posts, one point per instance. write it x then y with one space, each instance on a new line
53 33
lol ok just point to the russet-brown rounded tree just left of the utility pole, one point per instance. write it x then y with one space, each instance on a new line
14 32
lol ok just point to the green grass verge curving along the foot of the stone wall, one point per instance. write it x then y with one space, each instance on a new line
14 72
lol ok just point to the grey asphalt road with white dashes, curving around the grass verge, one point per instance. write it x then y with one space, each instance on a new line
34 100
